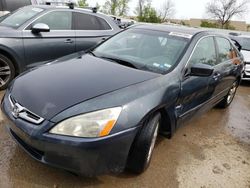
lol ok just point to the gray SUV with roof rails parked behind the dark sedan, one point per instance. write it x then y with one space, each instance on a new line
34 35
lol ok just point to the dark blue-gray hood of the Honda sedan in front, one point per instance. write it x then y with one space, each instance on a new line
50 89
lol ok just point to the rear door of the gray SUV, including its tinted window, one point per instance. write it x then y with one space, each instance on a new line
90 30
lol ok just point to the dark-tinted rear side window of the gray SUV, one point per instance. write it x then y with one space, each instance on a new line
89 22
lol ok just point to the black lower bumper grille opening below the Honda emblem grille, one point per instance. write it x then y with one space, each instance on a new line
32 151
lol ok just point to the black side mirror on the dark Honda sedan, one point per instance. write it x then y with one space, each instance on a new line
202 70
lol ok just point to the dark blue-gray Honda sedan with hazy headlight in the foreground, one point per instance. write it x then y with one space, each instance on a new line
101 111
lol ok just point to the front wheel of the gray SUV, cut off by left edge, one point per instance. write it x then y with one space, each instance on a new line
7 72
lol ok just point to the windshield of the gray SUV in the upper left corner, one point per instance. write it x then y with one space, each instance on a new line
20 17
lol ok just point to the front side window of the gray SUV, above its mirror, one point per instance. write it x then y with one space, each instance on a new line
58 20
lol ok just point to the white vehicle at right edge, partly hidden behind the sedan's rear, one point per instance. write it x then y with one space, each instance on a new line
244 41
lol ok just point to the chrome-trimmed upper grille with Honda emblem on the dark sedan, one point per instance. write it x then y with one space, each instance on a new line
19 111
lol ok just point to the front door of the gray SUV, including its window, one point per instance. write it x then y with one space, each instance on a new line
44 46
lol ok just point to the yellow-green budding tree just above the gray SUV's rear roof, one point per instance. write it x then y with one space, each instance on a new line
116 7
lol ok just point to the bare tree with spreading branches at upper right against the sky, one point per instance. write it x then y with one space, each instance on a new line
224 10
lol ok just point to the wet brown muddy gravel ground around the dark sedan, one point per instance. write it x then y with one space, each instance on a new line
211 151
